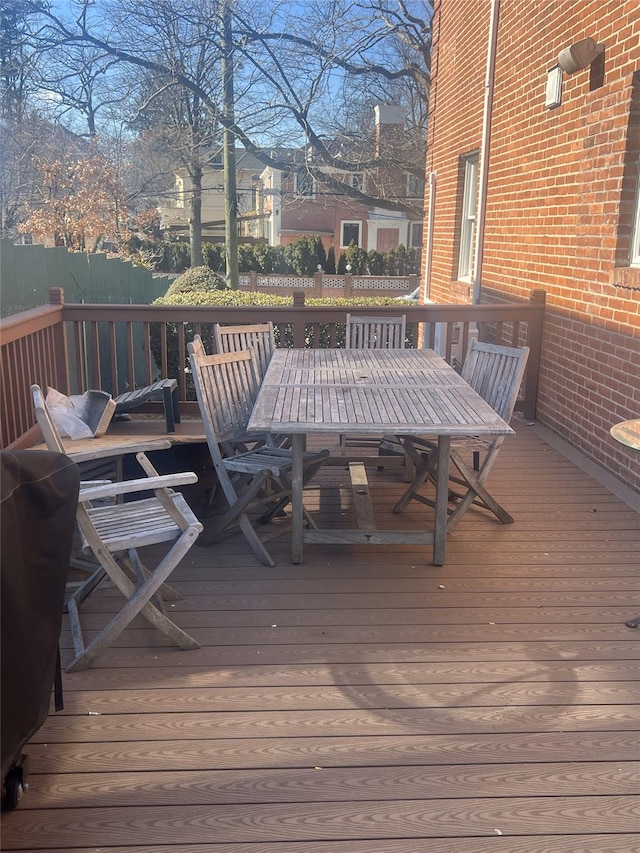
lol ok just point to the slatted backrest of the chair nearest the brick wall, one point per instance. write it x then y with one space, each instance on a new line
496 373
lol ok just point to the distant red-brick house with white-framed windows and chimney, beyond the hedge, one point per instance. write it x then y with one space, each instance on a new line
291 204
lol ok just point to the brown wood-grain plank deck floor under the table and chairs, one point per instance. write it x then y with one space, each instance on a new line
366 701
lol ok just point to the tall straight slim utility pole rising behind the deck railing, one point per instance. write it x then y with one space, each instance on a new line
228 151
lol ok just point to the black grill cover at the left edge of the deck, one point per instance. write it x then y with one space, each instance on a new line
38 494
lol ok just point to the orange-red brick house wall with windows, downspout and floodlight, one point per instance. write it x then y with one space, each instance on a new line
534 184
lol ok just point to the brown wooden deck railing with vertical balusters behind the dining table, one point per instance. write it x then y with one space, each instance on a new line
75 347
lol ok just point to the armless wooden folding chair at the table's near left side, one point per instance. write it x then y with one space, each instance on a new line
252 472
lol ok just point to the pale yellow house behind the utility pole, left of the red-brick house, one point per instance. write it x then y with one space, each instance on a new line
174 218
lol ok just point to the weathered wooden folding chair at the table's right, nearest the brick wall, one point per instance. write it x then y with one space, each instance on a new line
496 373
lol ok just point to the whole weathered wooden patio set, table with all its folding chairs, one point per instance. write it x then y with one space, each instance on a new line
259 404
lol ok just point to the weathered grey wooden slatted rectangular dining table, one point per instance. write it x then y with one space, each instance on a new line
399 392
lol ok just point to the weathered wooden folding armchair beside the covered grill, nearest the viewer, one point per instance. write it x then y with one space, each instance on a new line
114 532
